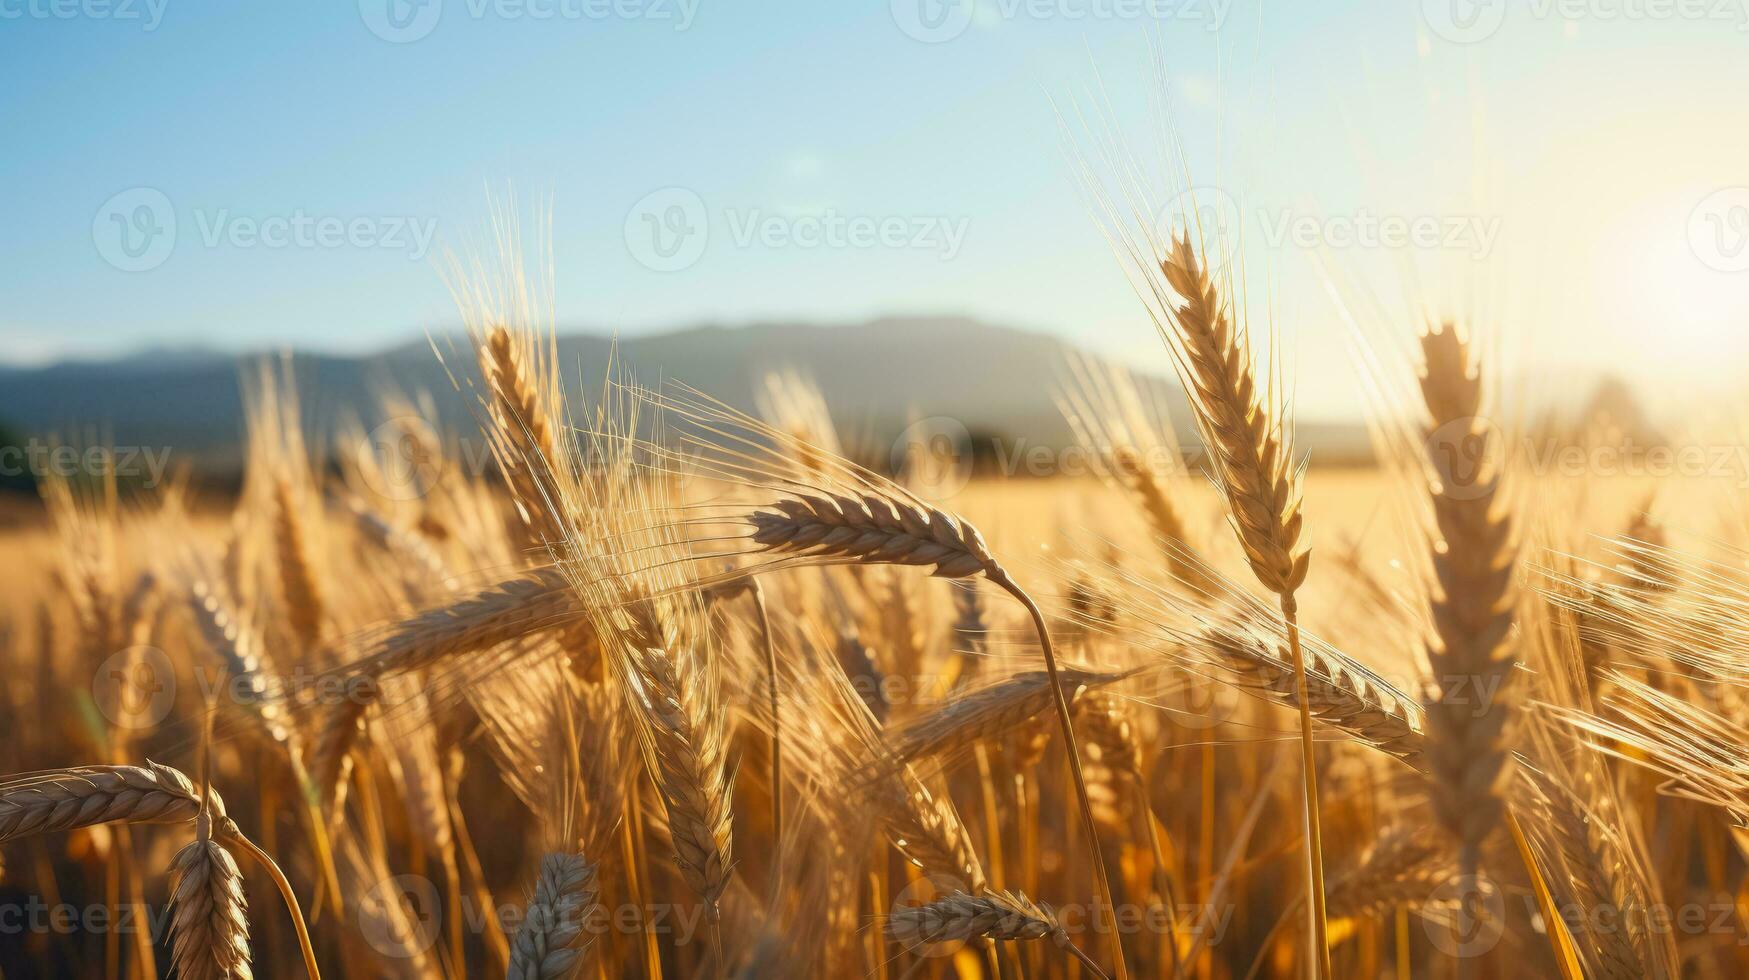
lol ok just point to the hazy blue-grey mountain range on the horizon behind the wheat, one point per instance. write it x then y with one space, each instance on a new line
875 375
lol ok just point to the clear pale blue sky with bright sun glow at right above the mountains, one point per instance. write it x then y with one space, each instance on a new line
263 174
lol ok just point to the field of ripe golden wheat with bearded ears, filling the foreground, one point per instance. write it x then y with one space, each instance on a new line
674 690
